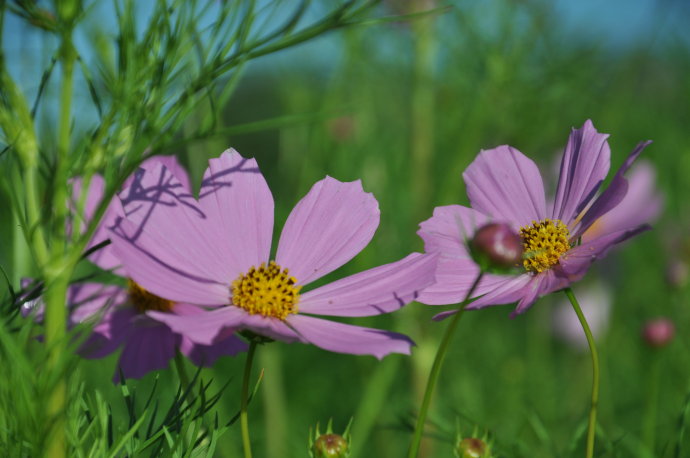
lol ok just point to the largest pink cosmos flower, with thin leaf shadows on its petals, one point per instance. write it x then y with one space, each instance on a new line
215 253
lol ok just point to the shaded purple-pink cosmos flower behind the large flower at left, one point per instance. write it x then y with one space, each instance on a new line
121 316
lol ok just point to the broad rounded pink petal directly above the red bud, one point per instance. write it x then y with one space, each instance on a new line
504 184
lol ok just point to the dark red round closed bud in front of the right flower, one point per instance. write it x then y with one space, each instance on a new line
497 245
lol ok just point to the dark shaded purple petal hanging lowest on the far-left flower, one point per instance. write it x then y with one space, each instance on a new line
149 347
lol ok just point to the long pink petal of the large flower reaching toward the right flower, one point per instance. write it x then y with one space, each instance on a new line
374 291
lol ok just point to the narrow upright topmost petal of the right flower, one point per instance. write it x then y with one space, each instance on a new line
586 161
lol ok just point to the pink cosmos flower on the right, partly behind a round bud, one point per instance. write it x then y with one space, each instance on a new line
504 185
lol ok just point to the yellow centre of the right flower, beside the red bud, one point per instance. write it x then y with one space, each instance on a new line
544 242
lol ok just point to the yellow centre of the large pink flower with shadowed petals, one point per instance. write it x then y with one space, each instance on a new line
266 290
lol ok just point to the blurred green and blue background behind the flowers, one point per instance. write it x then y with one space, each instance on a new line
405 106
